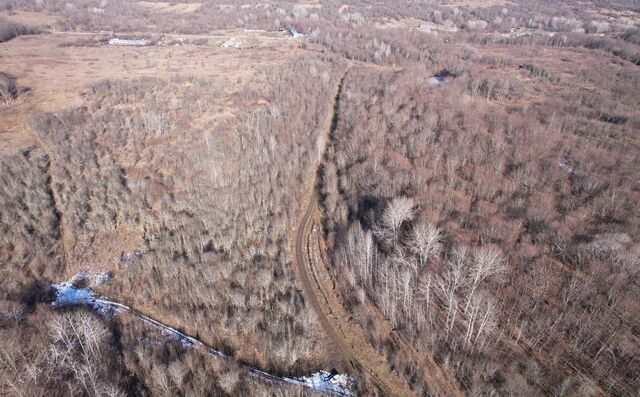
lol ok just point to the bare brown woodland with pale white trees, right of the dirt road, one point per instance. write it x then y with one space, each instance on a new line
494 229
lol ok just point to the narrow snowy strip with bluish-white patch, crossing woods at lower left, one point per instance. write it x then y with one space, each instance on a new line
68 294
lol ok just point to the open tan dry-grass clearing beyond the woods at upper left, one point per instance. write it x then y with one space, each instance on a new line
78 61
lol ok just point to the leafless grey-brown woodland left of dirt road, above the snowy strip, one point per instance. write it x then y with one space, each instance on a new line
207 206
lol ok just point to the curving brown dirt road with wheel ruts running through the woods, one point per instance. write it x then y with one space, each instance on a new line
355 350
